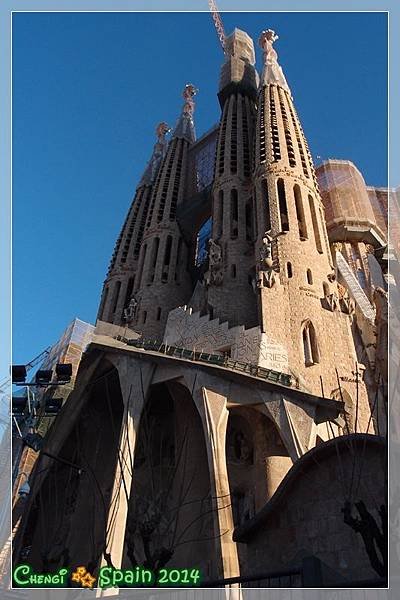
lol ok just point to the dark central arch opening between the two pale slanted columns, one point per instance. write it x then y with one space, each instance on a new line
171 500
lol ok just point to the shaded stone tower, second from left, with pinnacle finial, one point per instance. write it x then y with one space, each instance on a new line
163 280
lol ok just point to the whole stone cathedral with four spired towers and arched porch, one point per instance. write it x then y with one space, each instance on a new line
230 411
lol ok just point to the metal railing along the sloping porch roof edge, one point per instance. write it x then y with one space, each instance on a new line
211 359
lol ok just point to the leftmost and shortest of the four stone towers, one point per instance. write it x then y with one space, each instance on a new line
118 286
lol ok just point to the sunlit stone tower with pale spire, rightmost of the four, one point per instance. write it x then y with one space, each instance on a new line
299 301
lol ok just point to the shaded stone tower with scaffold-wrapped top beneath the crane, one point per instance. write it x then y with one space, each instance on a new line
231 258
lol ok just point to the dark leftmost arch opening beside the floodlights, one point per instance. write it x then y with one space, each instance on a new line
68 516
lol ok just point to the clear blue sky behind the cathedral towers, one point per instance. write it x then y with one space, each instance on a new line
88 90
